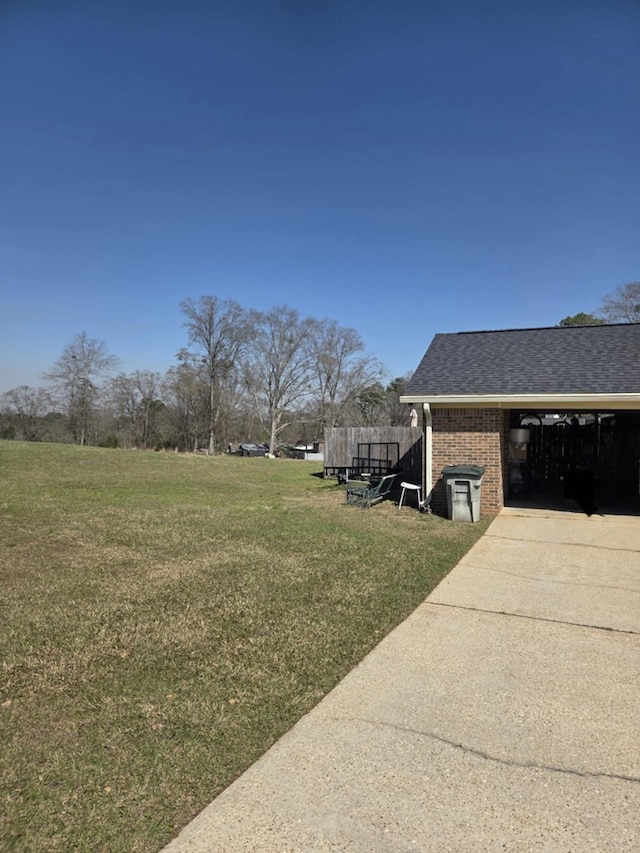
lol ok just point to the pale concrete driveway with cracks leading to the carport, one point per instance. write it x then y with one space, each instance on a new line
503 714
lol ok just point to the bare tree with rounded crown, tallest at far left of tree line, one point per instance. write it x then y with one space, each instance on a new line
74 376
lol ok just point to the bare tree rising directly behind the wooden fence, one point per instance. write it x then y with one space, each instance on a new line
341 370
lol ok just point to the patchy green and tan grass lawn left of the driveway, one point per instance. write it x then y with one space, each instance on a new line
165 618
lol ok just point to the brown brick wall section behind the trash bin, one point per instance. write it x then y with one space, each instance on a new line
470 436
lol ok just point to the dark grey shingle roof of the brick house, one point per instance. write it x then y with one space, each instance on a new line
557 360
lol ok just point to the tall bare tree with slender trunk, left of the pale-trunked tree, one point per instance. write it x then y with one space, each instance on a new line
218 331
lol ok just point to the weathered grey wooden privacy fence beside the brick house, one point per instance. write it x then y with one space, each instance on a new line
350 451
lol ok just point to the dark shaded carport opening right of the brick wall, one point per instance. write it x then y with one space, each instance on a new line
568 459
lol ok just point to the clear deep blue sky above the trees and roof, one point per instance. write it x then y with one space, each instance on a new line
405 168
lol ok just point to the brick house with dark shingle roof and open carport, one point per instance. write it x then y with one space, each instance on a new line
532 406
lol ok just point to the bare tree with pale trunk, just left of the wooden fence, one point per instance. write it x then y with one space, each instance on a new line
278 368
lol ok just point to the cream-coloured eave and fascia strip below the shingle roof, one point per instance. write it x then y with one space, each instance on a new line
526 401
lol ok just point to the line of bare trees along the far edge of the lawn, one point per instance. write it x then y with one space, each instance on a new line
243 376
